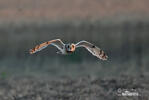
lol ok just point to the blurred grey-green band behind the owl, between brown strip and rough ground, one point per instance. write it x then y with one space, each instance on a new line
125 42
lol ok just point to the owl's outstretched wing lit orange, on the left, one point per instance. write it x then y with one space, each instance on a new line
57 42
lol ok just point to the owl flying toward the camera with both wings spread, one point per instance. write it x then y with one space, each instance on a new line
70 48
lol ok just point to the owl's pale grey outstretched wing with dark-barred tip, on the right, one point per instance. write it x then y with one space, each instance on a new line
92 49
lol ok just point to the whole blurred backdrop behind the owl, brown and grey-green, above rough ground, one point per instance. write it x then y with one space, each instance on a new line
119 27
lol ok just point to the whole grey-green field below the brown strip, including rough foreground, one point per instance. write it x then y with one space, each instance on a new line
79 76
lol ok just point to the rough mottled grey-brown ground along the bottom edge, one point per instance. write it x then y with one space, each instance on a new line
81 88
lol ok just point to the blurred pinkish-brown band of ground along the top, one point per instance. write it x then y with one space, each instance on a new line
53 9
